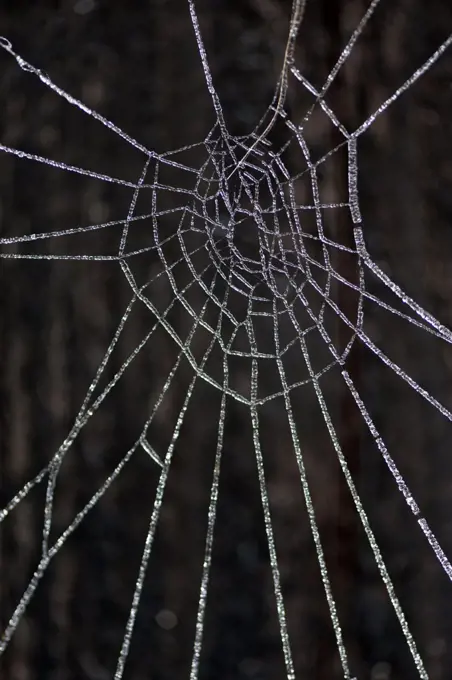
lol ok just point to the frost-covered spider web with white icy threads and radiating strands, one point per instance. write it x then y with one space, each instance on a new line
243 180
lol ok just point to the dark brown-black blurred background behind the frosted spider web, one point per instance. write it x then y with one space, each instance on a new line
137 64
